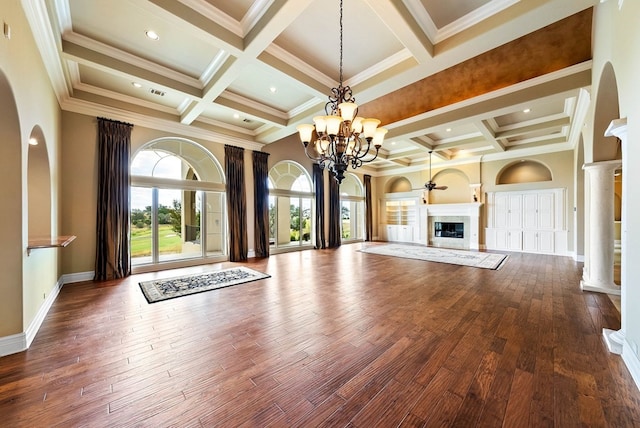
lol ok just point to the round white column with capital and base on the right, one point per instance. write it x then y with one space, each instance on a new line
598 272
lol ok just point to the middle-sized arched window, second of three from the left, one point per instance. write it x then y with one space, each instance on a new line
290 206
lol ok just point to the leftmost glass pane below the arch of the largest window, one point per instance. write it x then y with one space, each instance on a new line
141 231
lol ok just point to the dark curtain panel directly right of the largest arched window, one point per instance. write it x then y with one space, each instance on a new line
236 203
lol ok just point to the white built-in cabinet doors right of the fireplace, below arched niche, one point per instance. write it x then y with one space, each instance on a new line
529 221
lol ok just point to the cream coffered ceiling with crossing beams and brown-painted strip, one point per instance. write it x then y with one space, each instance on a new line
450 76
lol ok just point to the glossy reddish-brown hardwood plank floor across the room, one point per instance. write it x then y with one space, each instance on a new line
333 338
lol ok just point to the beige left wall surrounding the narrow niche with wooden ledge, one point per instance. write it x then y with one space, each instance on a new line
27 280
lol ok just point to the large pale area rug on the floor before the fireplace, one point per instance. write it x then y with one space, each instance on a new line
440 255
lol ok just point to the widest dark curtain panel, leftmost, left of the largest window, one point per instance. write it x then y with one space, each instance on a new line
112 229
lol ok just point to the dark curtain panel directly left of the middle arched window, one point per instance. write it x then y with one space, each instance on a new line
261 199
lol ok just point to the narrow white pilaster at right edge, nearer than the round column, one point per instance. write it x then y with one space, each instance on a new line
615 338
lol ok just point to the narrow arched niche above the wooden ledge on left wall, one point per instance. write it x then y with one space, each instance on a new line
38 185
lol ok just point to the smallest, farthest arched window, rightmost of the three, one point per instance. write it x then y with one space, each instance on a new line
352 208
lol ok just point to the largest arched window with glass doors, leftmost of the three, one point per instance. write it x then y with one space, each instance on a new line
178 207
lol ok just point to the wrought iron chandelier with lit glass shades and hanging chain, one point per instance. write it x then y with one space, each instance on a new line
341 138
